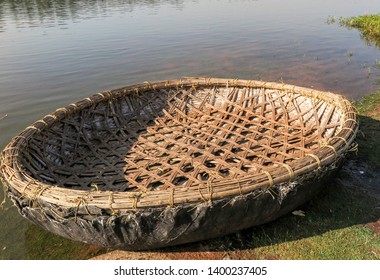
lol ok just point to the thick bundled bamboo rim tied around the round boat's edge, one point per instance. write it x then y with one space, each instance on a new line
29 192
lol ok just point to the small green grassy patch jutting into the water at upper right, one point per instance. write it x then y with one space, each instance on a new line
368 25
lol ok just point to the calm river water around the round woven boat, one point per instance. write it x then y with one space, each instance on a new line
55 52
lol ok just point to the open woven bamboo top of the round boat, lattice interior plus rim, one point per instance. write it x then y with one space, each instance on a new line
178 141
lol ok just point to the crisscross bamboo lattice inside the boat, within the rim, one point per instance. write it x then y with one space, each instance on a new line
180 136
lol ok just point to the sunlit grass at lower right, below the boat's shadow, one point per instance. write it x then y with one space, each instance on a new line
333 228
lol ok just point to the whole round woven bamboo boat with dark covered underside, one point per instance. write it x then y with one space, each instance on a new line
172 162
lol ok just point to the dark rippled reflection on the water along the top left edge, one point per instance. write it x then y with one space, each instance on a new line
30 13
